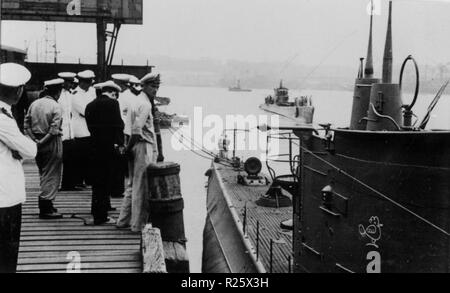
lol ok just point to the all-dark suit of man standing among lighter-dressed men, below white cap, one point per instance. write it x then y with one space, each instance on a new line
106 127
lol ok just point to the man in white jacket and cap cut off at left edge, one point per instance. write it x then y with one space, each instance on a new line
14 147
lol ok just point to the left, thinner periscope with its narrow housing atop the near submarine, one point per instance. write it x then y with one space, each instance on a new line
363 86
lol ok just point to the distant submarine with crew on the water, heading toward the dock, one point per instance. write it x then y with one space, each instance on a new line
301 110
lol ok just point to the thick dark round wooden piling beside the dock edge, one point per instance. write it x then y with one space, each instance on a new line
166 213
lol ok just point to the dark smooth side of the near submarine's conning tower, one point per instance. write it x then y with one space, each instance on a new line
396 221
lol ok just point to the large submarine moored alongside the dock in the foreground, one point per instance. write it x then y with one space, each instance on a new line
370 198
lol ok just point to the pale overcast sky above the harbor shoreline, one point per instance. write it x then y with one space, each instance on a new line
302 31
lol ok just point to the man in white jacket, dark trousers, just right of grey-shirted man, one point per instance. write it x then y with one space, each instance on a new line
68 182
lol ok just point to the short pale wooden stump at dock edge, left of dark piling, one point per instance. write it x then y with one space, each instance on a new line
153 258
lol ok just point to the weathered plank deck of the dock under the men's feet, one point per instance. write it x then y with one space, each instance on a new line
56 246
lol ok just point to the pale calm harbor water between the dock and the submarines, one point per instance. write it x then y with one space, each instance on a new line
331 107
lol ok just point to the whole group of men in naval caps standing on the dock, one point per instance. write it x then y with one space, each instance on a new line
80 133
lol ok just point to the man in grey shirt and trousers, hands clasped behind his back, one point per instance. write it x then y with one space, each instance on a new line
43 123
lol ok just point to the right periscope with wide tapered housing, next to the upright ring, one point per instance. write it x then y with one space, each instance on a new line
385 107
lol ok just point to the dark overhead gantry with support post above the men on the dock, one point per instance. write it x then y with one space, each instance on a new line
100 12
